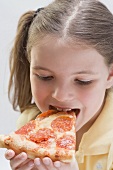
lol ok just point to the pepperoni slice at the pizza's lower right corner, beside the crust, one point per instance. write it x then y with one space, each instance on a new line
67 142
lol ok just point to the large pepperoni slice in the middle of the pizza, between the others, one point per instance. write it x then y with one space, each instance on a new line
42 135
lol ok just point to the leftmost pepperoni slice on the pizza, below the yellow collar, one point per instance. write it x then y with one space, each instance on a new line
24 130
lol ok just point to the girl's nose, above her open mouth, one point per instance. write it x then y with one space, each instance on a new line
63 94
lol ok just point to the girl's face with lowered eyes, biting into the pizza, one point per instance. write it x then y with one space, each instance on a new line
68 78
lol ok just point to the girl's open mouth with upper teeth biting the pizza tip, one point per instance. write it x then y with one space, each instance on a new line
59 109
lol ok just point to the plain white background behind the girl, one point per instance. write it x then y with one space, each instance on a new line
10 11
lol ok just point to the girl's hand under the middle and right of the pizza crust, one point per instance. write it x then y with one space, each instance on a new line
47 164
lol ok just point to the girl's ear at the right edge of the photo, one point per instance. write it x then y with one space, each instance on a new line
110 77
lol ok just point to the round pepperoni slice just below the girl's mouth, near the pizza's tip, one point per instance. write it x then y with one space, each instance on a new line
62 124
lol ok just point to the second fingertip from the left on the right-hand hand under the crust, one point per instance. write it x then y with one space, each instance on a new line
48 163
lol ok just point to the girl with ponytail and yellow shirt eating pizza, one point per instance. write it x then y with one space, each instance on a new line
63 57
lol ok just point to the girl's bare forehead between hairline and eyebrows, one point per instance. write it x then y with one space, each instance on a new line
53 52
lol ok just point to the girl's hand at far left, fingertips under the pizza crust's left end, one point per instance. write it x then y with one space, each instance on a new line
19 162
